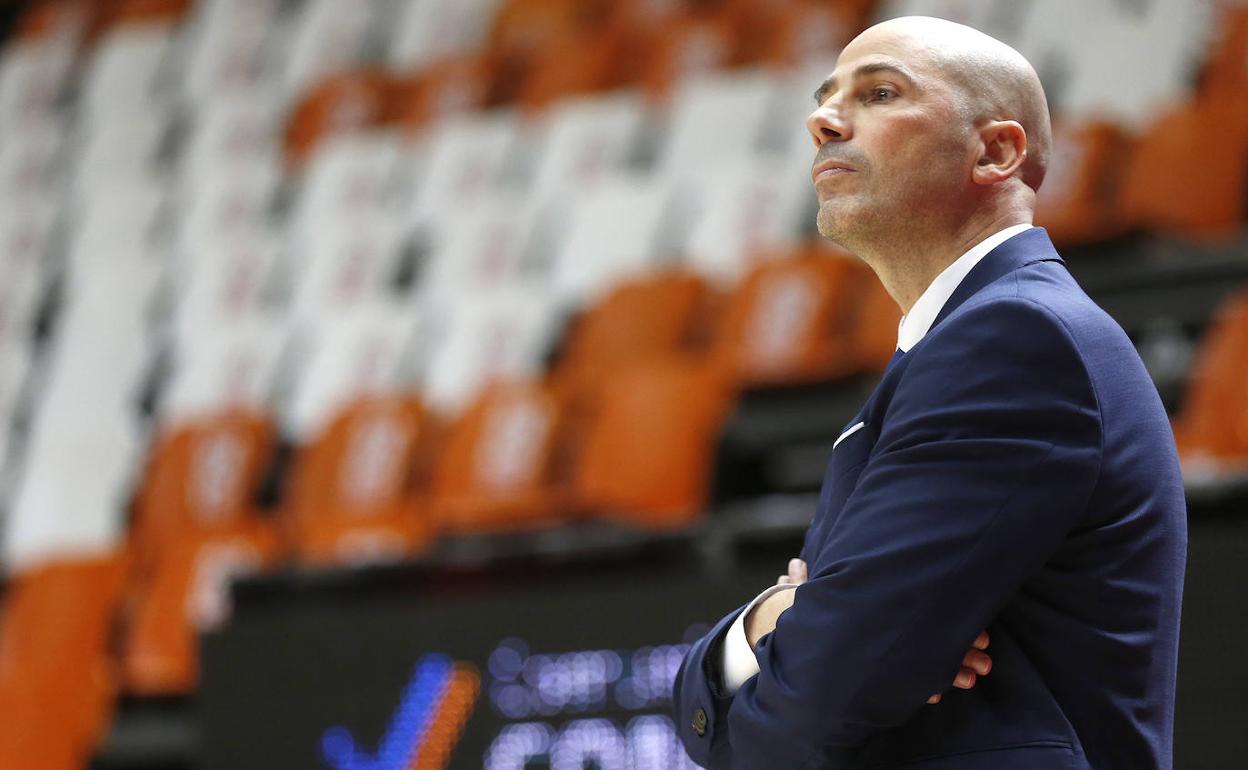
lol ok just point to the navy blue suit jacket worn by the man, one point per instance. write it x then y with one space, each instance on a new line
1016 474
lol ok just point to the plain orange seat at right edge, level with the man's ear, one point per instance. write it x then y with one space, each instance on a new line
1170 184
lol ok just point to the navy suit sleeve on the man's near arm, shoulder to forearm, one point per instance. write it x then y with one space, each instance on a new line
988 456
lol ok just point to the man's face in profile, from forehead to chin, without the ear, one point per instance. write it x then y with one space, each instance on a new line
894 142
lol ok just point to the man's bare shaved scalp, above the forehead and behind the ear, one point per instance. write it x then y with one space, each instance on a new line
995 82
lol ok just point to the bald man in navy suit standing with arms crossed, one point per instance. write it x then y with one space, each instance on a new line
1013 481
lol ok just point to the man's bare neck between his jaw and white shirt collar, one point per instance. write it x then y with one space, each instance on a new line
908 269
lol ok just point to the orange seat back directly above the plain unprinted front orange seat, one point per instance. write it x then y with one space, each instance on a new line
665 315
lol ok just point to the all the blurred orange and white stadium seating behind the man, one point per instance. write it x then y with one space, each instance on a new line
481 264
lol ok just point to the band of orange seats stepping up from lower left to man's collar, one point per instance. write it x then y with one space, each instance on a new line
623 427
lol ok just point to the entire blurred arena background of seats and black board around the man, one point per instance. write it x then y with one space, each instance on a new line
396 384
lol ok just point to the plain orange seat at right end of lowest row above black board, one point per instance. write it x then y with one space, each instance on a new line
647 449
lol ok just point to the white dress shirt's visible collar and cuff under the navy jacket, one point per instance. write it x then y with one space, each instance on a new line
738 662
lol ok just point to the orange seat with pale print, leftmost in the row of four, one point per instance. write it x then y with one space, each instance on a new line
203 479
